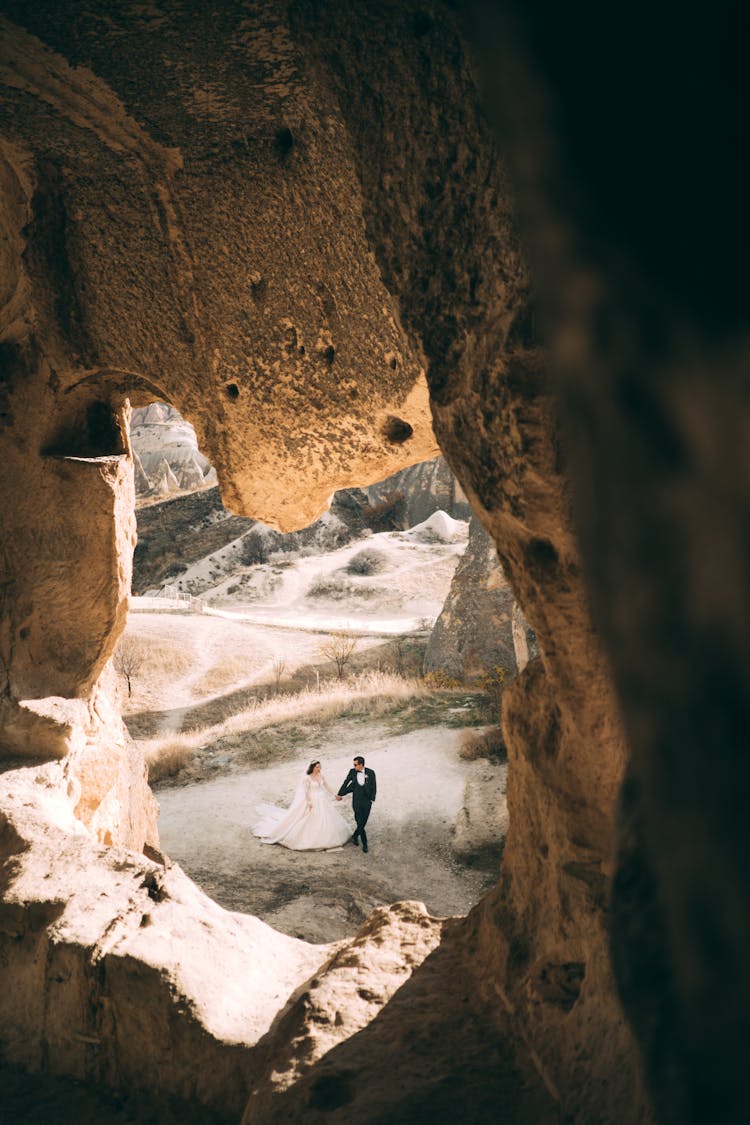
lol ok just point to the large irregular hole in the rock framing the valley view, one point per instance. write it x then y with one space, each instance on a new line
251 654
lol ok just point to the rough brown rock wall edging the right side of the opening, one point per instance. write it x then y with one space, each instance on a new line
448 245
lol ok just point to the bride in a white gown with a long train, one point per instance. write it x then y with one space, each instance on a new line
311 822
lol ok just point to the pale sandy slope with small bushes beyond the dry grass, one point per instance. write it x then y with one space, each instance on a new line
193 658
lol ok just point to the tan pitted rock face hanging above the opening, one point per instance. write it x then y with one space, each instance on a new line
252 280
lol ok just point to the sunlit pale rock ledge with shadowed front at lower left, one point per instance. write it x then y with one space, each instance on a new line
112 949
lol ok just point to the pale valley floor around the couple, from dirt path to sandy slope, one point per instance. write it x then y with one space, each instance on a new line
195 707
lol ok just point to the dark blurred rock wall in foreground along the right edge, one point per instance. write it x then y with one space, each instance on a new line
624 133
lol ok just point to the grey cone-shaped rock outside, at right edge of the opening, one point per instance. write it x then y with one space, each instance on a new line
481 627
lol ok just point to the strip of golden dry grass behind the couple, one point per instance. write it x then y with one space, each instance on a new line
372 695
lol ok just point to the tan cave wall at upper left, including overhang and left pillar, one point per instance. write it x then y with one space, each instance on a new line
189 259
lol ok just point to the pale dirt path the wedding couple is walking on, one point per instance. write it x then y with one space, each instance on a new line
326 896
